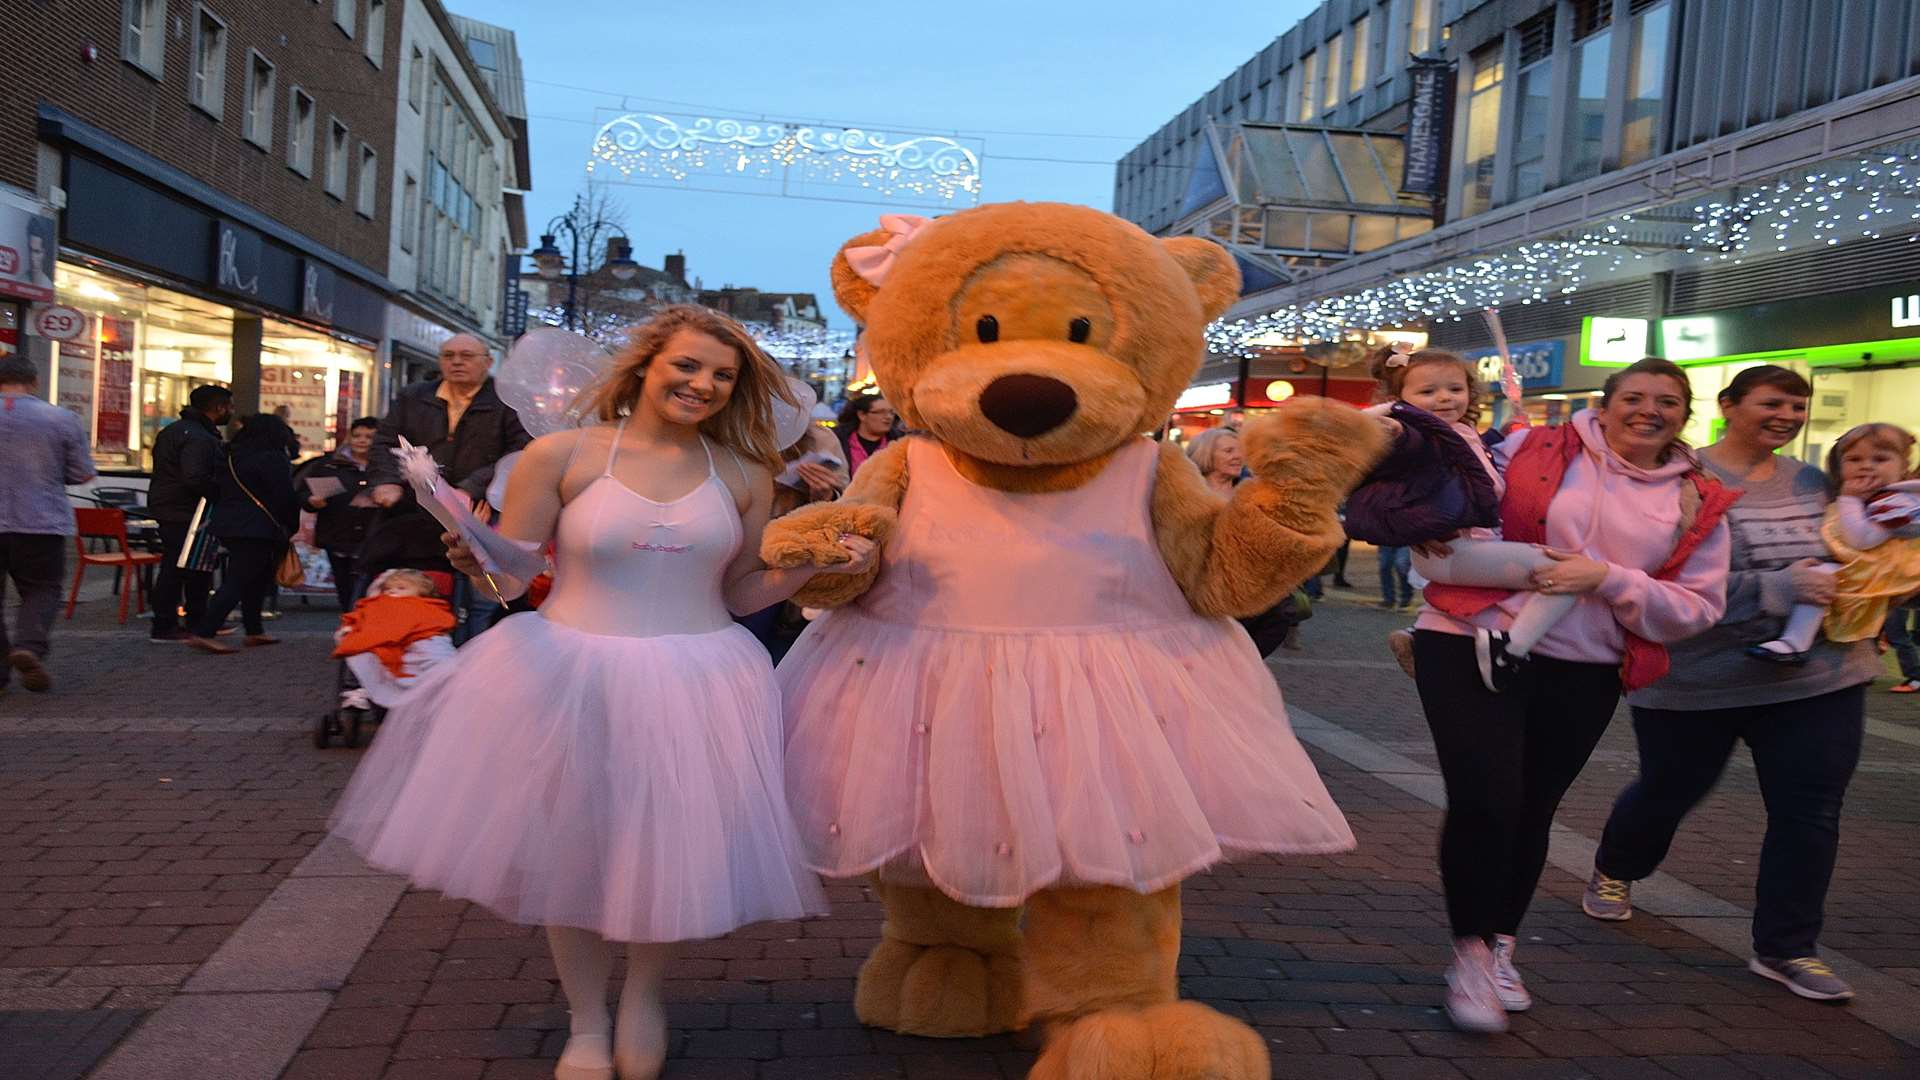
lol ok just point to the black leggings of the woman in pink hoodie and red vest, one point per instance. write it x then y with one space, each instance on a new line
1508 760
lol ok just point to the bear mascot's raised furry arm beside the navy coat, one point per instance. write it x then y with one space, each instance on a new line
1243 554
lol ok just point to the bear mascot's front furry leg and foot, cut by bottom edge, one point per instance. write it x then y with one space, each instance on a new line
1101 975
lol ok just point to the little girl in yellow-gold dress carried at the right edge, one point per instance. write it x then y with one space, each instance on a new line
1873 529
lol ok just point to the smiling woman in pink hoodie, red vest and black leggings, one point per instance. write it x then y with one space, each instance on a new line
1635 533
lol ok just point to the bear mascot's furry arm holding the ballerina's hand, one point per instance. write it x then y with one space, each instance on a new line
811 533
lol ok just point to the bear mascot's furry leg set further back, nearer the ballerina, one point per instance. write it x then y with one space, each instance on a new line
942 970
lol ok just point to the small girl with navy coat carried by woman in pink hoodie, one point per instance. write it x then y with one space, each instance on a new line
1439 493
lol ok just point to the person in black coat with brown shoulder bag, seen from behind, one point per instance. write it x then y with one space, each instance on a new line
254 516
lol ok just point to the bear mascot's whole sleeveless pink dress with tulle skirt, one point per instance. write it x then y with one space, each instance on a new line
1026 700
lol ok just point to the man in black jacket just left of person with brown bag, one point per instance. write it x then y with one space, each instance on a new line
187 456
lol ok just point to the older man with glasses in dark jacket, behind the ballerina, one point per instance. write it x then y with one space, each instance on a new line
468 430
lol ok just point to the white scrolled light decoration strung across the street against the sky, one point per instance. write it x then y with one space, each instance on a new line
888 166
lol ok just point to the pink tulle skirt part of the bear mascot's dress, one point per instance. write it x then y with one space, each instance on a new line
1001 764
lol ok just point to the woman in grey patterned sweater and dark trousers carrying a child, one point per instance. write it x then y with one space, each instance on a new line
1802 722
